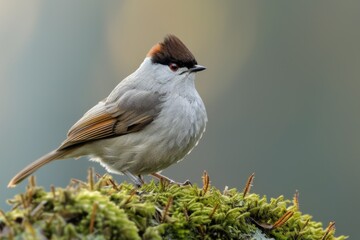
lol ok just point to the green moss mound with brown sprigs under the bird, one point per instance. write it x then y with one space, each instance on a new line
107 210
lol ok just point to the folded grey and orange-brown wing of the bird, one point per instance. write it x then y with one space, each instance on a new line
130 112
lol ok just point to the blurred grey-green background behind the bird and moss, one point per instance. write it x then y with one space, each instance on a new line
281 90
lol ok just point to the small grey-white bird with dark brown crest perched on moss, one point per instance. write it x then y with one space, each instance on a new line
151 120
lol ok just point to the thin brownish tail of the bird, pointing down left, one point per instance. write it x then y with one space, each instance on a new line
32 167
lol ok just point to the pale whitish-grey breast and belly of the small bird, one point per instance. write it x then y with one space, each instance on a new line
171 136
